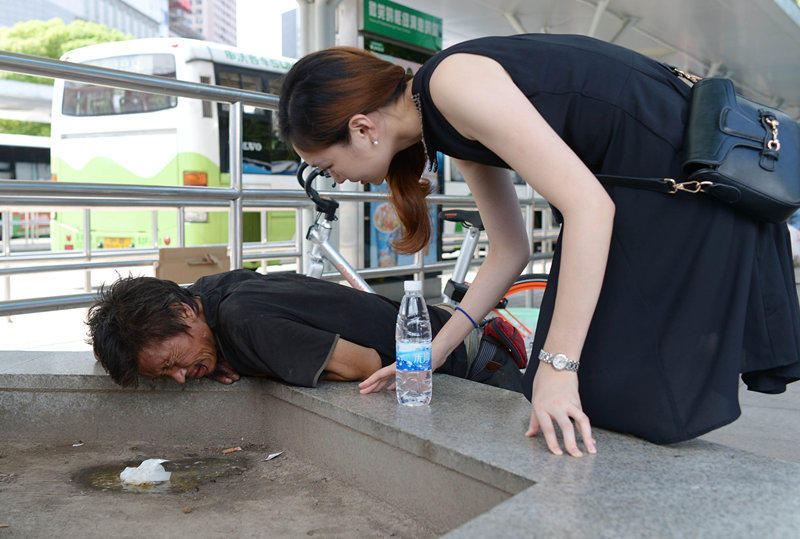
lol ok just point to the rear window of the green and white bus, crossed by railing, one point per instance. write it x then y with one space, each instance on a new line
82 99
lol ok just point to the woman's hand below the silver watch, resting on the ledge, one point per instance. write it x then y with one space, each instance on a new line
555 397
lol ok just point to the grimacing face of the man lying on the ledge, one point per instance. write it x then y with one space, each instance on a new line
183 357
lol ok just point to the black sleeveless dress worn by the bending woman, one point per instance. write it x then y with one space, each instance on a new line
694 292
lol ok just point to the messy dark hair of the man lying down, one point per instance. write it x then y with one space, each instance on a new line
132 314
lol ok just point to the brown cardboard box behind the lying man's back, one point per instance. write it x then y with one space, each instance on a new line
185 265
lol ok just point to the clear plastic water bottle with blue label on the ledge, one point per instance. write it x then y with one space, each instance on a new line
413 337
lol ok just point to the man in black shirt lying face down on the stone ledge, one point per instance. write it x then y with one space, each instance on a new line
290 327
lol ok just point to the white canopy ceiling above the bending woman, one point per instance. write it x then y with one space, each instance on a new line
754 42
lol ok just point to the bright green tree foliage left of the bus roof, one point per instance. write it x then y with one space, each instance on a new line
52 39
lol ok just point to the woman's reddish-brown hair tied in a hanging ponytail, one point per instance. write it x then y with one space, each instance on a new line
320 94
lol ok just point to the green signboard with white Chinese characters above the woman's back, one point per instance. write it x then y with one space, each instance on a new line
402 23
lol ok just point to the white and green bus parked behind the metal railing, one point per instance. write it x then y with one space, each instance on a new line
109 135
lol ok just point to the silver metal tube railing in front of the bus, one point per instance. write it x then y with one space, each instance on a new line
32 194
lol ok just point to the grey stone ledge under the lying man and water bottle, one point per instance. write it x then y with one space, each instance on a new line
466 454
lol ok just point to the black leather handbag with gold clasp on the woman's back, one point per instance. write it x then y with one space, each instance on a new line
738 151
